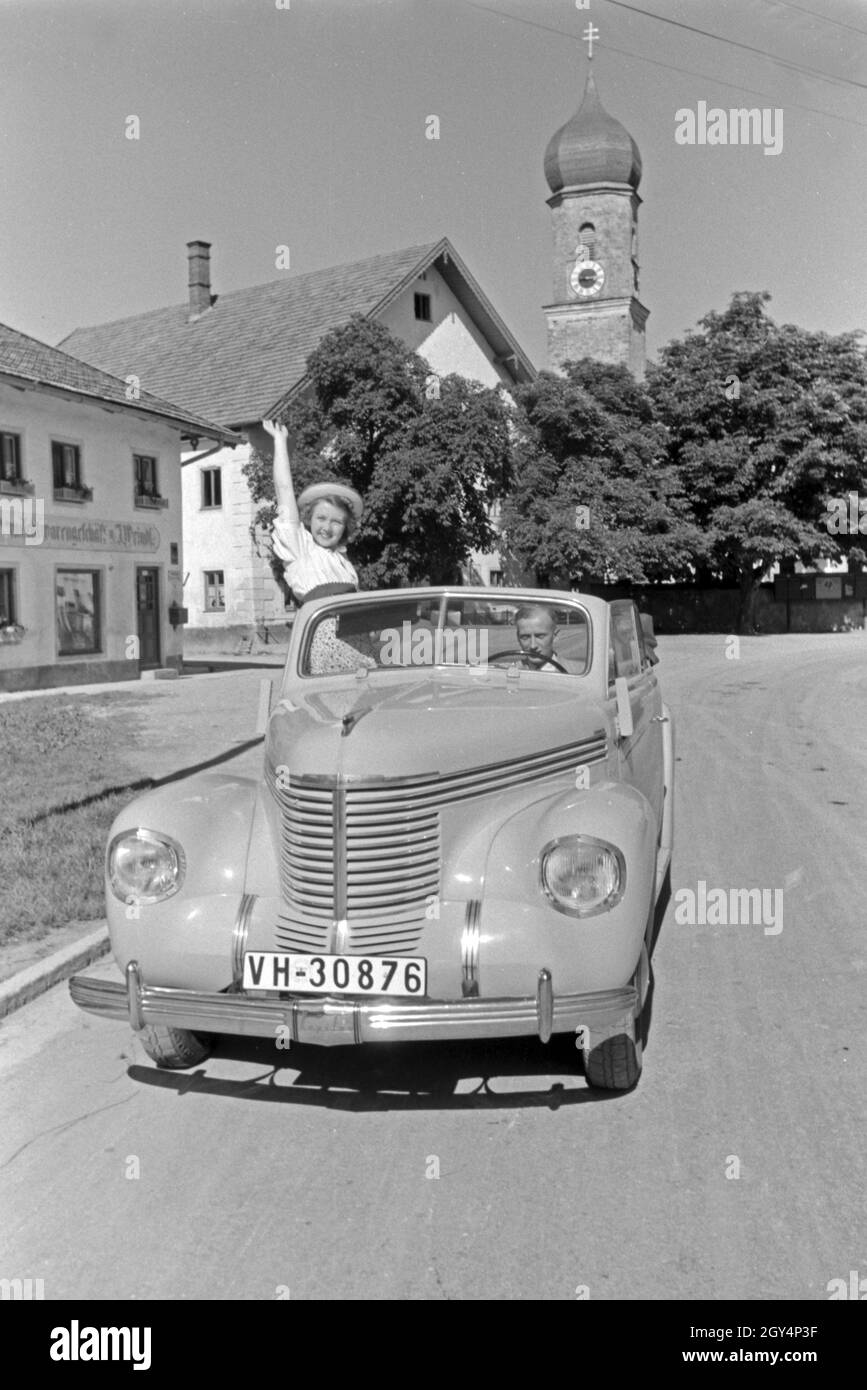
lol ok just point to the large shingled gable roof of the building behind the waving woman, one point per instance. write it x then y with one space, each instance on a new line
244 358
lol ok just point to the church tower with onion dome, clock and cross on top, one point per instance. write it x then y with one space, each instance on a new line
594 169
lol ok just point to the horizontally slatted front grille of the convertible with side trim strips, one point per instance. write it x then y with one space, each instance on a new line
361 860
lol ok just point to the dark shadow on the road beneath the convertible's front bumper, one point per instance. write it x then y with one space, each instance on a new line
408 1078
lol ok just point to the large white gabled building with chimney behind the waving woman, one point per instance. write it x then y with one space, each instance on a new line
241 358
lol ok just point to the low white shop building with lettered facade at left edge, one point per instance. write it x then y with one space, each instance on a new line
91 537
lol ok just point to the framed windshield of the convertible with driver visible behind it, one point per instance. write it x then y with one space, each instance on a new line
448 630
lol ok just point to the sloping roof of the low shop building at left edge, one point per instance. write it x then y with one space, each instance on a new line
28 359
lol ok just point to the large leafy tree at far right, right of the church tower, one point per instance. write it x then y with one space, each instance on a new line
766 425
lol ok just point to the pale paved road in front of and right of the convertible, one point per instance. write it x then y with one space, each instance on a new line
265 1172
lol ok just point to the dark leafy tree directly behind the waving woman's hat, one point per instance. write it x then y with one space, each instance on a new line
429 455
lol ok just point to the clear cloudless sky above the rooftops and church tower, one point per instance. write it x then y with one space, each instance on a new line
305 126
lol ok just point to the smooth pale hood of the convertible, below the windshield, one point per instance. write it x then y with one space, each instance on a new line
427 725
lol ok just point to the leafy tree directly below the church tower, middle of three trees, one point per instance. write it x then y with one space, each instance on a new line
594 496
